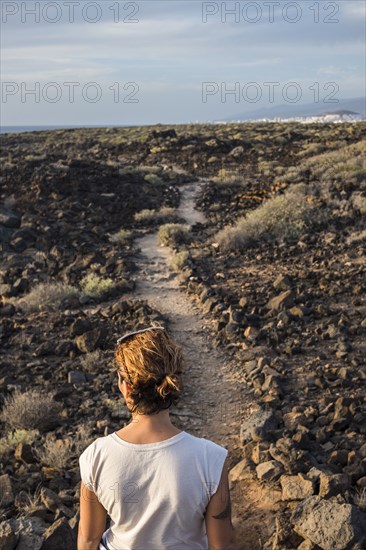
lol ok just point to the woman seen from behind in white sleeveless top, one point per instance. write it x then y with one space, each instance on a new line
162 487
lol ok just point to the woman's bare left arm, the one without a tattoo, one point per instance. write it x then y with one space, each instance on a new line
92 520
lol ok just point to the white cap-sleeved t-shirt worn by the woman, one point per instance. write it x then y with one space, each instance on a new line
156 494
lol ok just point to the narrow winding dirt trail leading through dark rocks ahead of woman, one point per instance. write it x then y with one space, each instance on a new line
214 395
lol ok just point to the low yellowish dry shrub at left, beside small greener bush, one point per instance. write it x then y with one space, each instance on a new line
47 295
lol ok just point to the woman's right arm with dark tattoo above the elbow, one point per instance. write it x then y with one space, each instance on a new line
220 531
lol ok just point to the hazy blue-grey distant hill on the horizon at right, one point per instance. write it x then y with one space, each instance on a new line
356 105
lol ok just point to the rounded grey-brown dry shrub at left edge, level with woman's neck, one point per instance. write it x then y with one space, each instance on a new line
30 410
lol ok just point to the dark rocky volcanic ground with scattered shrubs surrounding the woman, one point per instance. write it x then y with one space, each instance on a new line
282 306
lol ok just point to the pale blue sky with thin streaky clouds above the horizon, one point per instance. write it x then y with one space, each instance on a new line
147 62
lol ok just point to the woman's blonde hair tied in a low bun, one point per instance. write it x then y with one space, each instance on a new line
152 363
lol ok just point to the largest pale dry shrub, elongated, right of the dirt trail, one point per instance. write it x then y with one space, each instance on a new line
285 216
